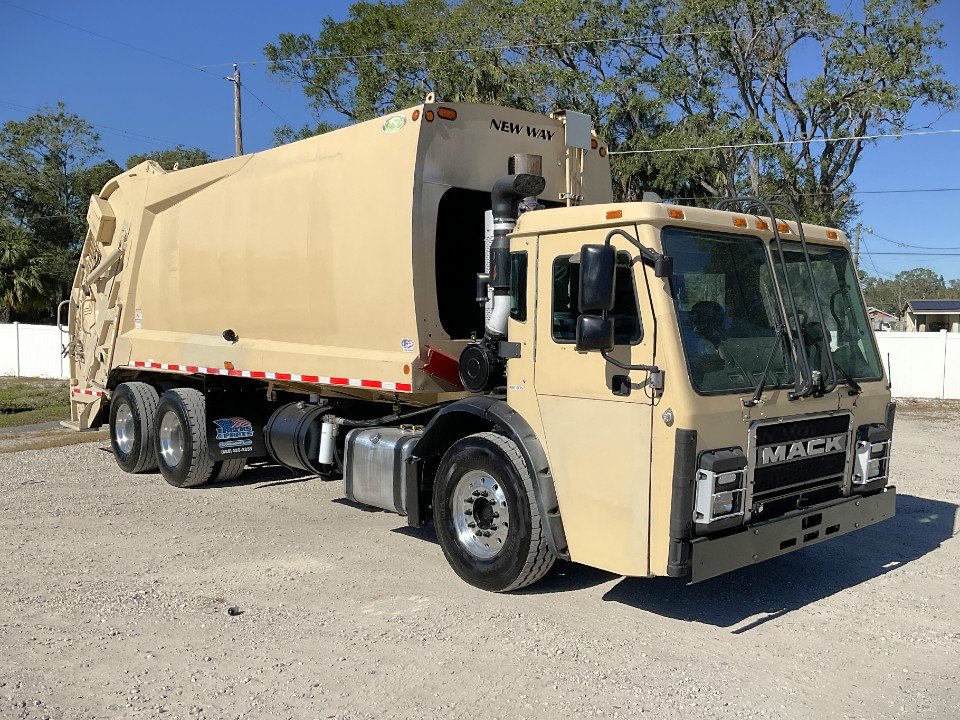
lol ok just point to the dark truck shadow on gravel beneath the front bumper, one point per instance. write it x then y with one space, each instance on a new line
778 586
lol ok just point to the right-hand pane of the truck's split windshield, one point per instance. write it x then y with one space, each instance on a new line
847 326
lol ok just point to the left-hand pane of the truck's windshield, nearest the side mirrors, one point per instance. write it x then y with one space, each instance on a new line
726 306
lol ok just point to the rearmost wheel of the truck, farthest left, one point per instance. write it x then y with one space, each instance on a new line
133 413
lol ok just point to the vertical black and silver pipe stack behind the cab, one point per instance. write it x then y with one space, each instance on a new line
481 365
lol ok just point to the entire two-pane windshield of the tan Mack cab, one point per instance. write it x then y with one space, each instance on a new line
726 306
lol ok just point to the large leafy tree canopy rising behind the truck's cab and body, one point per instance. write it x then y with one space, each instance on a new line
656 75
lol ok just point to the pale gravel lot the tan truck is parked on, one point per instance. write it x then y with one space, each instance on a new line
114 592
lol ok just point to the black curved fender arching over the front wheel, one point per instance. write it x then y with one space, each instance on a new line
477 414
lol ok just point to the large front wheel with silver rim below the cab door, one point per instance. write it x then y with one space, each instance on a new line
486 515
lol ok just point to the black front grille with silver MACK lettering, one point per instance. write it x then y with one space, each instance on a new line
794 484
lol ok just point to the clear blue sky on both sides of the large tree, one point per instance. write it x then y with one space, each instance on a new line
141 102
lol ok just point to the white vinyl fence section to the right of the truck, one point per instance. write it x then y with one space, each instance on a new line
924 365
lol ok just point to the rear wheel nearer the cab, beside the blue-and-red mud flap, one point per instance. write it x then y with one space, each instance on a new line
180 438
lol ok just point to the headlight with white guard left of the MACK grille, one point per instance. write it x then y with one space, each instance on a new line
721 489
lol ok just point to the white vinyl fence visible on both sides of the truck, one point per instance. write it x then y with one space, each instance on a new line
922 365
